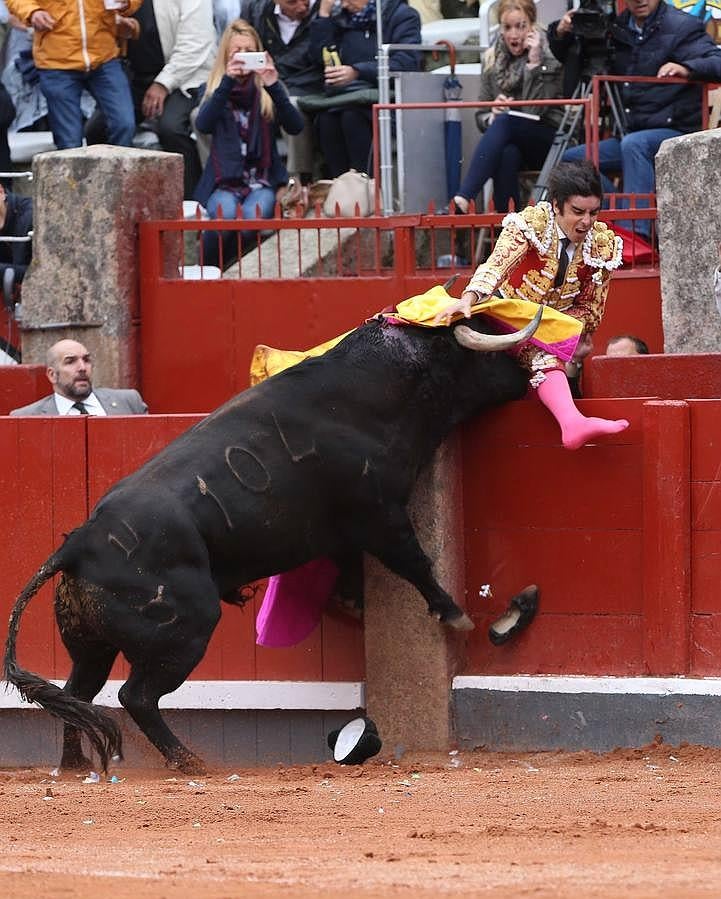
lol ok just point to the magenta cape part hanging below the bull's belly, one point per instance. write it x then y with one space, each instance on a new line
294 603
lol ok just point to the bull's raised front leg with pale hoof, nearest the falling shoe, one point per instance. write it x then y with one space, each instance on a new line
395 544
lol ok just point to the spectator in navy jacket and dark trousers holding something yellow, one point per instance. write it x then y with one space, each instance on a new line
345 132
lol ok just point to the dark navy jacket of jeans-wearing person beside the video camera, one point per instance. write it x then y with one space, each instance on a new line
668 35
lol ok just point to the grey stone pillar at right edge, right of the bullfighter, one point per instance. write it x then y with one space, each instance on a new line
688 184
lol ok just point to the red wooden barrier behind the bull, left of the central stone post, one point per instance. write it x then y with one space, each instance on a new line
54 471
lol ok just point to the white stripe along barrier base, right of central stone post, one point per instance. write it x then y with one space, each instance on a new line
537 683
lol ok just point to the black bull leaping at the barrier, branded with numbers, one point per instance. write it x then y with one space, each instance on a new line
319 460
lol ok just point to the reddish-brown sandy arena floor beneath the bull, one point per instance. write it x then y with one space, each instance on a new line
641 823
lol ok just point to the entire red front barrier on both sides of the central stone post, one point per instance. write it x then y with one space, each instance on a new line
622 538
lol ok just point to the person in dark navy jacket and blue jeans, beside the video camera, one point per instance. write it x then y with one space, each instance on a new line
654 39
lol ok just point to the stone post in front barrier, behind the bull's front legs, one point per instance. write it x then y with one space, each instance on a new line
410 657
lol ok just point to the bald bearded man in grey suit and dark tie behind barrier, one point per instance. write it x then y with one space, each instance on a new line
70 370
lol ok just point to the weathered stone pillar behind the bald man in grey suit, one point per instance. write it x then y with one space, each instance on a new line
83 282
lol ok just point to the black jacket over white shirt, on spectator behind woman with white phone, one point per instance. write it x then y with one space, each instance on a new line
298 71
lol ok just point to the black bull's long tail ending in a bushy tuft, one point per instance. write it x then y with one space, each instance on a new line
99 727
